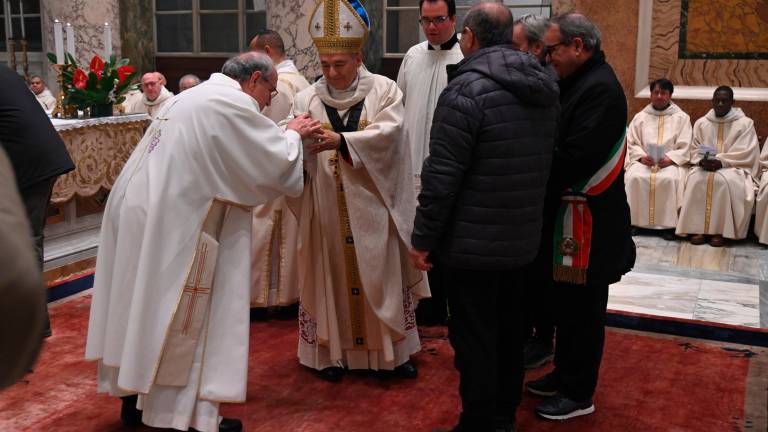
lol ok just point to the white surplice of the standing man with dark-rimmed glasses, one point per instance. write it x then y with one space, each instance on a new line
422 78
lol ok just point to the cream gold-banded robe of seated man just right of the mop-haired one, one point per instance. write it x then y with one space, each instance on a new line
721 202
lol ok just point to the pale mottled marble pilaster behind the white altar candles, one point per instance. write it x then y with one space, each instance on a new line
88 18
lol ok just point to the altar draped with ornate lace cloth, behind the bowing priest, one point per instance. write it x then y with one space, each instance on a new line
99 147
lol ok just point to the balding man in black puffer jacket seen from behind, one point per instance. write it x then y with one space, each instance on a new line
480 207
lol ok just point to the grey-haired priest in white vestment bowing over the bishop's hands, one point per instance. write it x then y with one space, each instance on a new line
169 322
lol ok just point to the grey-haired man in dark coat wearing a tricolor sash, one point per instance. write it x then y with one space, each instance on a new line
587 241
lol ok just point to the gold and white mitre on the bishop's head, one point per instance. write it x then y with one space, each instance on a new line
339 26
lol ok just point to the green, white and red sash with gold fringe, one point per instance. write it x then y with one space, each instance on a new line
573 224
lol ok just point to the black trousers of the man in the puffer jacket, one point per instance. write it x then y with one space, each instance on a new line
486 330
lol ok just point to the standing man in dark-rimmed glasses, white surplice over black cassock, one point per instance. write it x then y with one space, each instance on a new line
422 78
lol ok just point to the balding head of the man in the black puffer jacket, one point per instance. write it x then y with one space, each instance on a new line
491 24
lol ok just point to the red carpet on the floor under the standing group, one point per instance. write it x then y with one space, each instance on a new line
648 383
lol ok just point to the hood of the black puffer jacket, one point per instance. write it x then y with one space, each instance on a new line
514 70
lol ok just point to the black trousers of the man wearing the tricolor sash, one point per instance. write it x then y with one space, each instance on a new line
580 318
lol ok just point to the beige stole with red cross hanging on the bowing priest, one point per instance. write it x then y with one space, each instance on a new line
192 310
